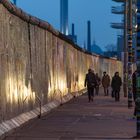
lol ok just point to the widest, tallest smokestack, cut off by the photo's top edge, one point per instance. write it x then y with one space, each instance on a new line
64 16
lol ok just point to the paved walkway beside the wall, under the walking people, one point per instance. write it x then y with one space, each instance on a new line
102 119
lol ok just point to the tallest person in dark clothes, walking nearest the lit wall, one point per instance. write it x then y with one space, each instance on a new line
90 83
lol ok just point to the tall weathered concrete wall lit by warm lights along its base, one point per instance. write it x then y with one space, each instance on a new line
36 61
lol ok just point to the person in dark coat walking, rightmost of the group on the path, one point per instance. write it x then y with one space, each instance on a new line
116 85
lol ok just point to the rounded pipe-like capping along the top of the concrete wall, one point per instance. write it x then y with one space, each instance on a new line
13 9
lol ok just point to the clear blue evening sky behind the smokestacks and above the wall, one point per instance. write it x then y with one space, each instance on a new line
98 11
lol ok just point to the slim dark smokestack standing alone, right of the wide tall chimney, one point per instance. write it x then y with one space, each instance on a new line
89 36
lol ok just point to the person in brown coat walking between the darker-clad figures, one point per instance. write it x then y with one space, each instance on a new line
106 83
